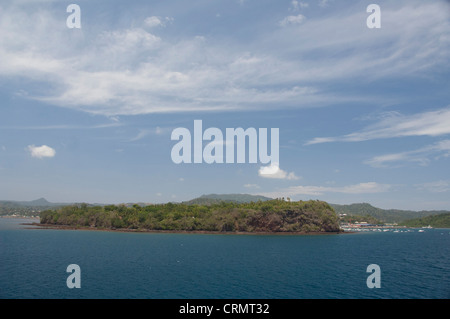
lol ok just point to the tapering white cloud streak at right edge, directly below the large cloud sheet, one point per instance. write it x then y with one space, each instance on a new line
433 123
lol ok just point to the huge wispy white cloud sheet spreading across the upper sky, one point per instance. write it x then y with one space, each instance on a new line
129 71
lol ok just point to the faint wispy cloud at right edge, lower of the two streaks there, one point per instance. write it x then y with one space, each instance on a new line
421 156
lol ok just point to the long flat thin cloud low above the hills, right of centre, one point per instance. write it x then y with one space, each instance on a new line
361 188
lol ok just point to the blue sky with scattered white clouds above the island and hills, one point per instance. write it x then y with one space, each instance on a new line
87 113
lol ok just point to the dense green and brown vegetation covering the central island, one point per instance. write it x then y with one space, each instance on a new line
262 216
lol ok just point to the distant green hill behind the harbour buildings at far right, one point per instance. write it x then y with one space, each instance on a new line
384 215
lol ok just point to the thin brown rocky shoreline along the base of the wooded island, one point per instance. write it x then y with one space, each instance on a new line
157 231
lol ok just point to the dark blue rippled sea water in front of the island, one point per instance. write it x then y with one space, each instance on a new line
33 264
